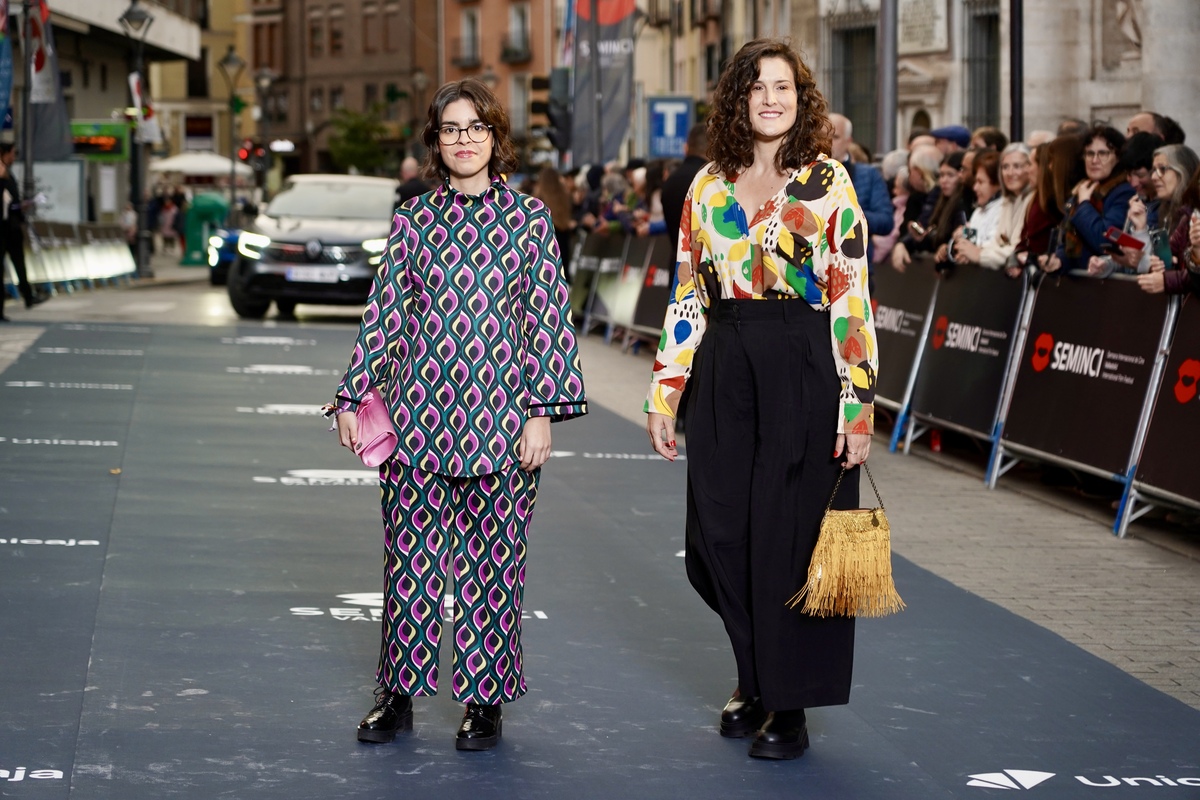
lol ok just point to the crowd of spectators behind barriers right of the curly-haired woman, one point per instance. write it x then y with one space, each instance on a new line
1085 199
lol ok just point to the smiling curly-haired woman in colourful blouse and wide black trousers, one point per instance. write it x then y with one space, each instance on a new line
770 330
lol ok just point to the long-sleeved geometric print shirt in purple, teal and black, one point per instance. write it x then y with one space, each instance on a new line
467 330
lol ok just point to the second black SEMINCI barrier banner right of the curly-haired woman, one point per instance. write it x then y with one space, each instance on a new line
965 362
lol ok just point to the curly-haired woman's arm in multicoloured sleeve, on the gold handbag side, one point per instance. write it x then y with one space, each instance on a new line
844 279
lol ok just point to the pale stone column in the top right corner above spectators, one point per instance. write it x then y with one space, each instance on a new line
1171 63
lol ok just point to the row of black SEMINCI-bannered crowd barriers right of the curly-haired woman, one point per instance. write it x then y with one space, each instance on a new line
1095 376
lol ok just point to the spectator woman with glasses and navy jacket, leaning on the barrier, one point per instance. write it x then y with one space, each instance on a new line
1097 203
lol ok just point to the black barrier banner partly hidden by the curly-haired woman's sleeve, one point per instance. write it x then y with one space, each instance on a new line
901 303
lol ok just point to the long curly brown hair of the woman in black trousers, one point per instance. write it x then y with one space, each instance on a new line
730 134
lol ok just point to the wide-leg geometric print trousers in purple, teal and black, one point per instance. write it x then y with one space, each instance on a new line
479 526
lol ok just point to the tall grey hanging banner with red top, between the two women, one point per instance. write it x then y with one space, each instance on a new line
610 71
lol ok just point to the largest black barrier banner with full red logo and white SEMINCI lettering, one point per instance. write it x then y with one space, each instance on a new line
1087 366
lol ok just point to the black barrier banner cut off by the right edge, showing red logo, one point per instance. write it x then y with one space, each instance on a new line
1174 437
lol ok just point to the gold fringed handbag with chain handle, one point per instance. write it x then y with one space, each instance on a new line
850 574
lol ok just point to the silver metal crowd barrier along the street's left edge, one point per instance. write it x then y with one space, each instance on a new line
64 256
